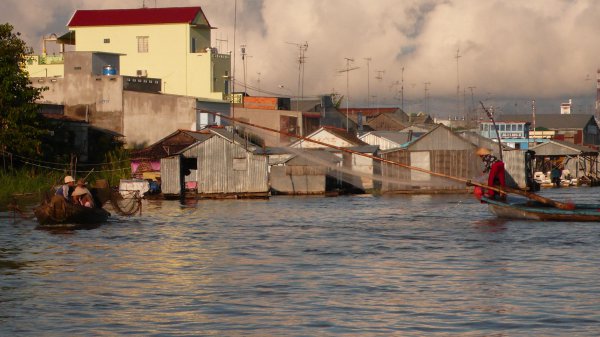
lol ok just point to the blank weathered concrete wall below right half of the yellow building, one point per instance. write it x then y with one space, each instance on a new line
150 117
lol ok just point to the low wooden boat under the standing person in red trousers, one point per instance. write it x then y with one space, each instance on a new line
532 210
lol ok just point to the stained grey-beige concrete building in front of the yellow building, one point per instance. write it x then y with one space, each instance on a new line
109 102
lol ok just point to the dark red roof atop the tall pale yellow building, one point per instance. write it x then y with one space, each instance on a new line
135 16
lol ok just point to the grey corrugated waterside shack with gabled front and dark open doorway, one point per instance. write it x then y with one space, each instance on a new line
222 166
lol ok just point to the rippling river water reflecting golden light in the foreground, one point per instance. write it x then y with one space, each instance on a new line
305 266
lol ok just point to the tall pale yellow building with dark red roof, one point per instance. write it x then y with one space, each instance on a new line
172 44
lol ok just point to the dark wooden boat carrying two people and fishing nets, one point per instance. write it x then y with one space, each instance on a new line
57 213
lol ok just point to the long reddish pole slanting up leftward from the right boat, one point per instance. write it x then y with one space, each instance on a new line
504 190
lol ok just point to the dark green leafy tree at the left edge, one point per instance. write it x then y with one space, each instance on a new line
21 126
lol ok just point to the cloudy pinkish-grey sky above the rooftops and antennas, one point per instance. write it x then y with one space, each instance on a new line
443 55
